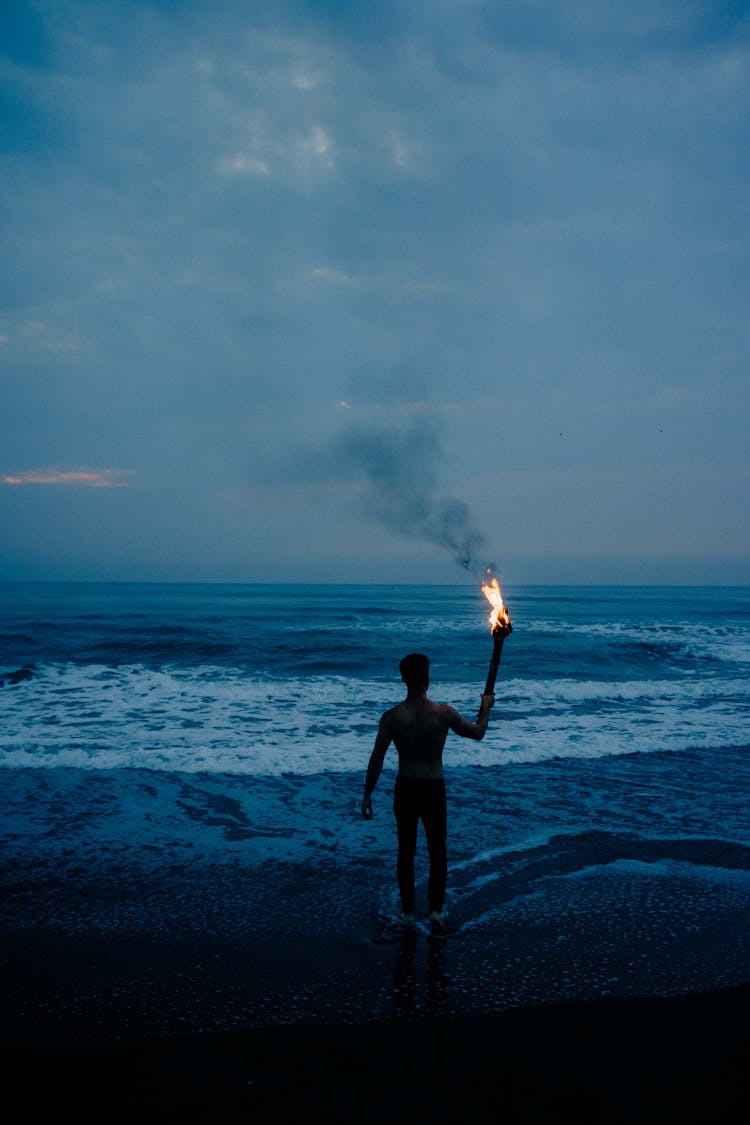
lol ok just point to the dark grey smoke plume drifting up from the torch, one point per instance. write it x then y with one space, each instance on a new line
399 469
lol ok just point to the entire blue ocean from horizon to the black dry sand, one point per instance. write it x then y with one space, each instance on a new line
156 736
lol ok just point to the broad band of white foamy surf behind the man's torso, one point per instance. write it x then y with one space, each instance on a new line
223 721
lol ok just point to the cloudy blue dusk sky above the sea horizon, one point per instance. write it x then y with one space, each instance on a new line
375 292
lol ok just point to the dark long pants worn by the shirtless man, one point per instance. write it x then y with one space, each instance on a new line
419 799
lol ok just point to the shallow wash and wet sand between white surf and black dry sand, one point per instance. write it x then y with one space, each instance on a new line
141 907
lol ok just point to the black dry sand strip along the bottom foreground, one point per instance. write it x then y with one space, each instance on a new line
685 1059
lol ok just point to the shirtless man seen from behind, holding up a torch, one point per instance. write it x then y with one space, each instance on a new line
419 730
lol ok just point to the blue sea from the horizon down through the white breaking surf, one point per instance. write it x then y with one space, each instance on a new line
272 680
